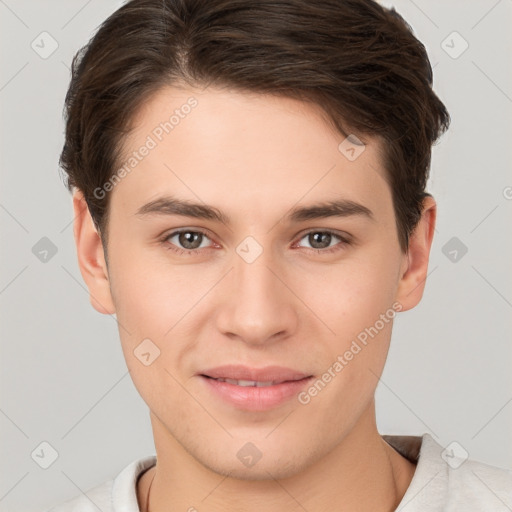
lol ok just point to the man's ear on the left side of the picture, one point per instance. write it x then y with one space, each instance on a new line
91 258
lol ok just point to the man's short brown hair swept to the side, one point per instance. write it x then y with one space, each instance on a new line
357 60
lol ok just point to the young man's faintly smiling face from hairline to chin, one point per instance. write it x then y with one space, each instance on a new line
257 275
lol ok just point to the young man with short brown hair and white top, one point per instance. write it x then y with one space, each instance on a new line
249 189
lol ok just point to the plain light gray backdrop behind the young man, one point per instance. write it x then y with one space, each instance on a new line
63 375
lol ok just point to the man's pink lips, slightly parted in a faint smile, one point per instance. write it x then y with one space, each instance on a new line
252 398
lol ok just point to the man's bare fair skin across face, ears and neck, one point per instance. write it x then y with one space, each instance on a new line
254 157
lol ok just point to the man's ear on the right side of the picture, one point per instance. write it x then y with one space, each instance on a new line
414 268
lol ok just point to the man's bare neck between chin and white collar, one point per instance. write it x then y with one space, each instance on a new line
363 473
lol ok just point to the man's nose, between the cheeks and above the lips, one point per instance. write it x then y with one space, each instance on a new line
258 307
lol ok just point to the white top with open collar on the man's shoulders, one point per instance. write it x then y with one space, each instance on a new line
442 482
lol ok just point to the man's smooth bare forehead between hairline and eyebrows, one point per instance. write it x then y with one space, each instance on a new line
245 150
